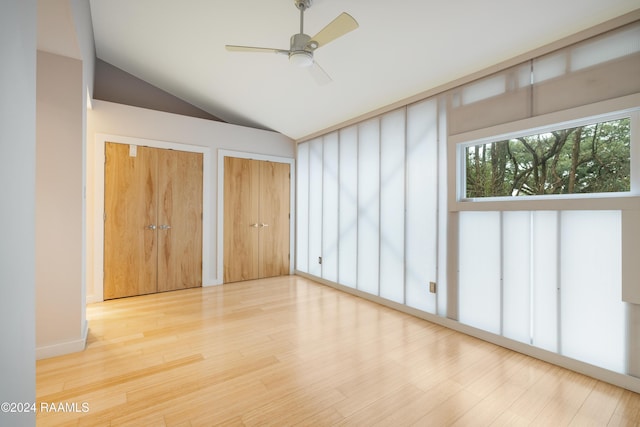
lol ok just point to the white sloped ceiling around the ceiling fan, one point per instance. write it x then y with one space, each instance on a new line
402 48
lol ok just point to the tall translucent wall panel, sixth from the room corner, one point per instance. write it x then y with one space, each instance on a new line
392 206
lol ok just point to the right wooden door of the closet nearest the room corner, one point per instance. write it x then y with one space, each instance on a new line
274 217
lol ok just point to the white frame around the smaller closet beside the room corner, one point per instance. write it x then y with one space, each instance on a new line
220 219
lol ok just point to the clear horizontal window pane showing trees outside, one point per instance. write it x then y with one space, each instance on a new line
594 158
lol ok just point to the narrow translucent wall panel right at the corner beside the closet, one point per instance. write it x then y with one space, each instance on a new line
302 208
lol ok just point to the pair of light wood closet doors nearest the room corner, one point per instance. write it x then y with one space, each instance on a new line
256 219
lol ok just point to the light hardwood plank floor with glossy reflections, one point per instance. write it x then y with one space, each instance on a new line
286 350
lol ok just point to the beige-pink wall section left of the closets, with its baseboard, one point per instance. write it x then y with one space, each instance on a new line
67 62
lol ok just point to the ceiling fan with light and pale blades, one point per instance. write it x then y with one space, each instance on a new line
302 46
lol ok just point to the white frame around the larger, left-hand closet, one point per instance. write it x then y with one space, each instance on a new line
98 188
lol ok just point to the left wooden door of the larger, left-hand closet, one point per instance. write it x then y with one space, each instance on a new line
130 251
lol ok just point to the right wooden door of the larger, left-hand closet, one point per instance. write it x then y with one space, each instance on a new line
179 220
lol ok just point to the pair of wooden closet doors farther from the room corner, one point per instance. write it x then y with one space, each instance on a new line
153 220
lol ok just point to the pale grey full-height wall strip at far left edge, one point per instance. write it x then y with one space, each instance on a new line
17 189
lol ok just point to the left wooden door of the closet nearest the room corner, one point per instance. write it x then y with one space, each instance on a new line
241 187
